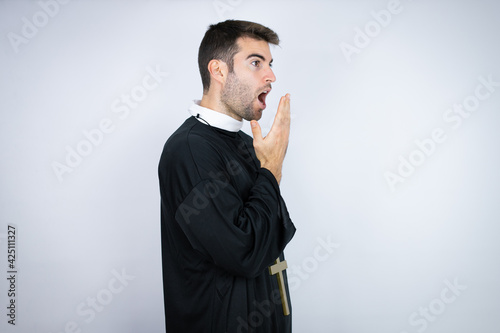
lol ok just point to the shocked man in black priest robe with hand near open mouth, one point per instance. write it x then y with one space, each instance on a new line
223 220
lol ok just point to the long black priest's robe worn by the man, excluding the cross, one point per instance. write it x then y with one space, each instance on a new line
223 222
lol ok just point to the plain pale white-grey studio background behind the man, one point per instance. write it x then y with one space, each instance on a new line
355 117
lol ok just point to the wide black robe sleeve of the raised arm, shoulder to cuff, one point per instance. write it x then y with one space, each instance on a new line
242 233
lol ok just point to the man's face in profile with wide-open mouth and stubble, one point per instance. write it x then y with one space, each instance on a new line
244 92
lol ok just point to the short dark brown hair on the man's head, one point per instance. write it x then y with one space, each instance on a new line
220 43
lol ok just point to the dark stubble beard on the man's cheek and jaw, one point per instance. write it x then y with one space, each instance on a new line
238 99
